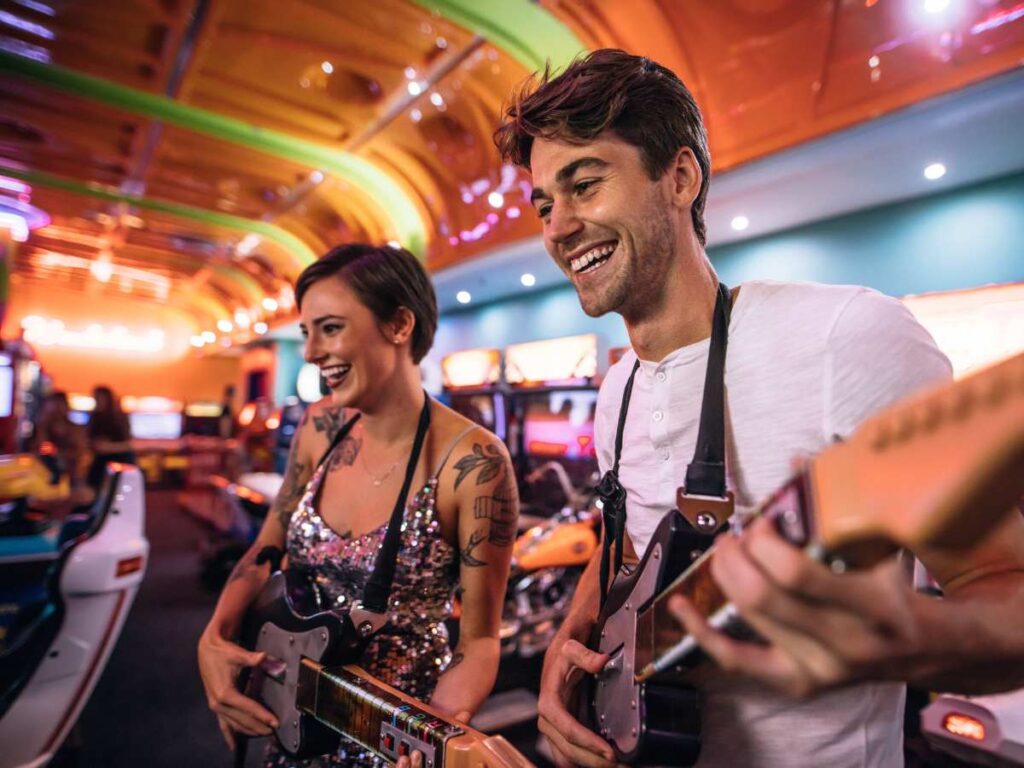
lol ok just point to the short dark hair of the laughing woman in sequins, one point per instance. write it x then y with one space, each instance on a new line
385 279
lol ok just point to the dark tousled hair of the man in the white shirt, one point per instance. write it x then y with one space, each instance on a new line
642 102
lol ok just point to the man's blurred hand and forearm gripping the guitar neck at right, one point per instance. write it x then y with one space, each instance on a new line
826 630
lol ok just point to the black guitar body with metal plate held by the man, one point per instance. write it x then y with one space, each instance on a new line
649 723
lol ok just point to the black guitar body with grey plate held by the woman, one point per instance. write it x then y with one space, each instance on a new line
273 625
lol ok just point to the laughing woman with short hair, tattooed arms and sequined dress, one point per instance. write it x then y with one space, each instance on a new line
369 316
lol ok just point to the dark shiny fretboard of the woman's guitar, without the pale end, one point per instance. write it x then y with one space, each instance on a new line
359 708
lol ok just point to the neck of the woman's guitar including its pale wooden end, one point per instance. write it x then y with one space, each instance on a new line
382 719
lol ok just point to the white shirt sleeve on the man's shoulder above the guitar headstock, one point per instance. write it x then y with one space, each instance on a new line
877 355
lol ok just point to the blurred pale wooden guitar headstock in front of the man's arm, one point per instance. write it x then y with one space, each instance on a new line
938 468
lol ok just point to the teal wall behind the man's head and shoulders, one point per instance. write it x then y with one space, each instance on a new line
961 239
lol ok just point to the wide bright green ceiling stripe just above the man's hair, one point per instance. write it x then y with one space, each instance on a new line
522 28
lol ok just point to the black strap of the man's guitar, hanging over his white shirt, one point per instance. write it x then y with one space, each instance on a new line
705 476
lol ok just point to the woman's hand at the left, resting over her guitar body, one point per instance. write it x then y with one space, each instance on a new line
220 664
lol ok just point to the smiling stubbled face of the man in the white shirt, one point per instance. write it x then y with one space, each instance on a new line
608 226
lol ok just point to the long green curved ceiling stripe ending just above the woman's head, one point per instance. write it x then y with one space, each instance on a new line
392 201
